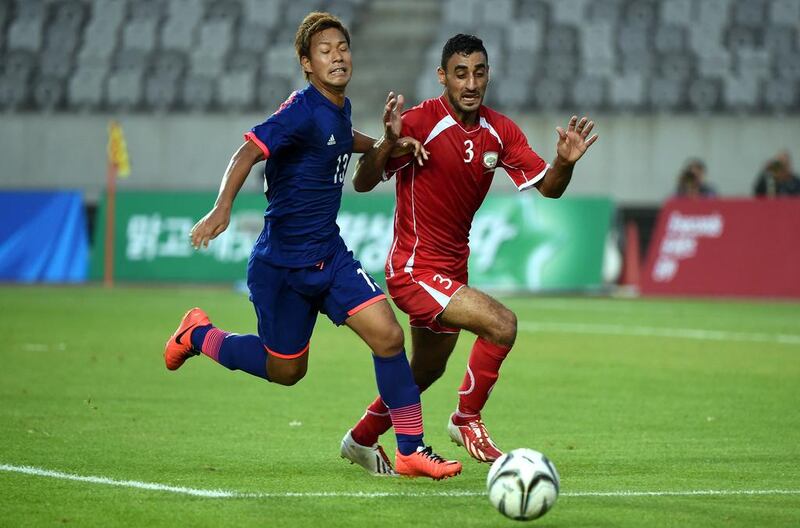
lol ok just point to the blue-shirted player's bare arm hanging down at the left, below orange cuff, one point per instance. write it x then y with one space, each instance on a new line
216 221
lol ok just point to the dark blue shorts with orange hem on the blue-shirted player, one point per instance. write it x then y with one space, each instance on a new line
287 300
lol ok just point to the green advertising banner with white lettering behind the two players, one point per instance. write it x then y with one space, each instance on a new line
517 242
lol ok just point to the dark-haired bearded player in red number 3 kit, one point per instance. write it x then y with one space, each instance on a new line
426 269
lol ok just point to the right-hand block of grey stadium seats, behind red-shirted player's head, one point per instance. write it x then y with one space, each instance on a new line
738 56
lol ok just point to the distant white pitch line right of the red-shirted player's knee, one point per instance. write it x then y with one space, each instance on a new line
647 331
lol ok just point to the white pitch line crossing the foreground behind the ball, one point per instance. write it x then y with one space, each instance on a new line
228 494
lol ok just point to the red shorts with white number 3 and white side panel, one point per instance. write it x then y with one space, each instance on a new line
424 294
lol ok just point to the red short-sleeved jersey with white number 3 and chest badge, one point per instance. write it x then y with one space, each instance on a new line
436 202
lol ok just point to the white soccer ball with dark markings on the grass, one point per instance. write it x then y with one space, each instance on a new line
523 484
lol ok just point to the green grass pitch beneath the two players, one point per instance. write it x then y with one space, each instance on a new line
618 393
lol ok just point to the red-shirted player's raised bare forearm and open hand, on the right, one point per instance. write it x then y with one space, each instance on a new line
572 145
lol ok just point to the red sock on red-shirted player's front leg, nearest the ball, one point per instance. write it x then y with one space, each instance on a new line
482 372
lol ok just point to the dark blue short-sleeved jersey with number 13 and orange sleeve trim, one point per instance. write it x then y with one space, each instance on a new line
308 142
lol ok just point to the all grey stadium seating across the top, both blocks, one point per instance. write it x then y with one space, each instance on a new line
712 56
